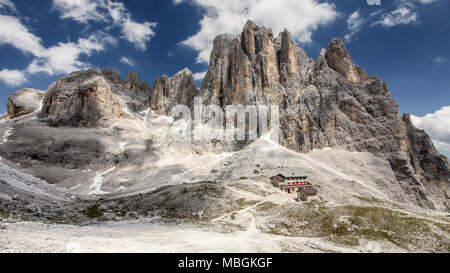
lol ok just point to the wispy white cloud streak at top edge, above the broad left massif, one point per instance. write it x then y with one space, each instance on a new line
110 12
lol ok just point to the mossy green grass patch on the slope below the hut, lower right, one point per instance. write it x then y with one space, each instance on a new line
347 224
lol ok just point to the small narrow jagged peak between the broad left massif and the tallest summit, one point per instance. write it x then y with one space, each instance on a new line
168 92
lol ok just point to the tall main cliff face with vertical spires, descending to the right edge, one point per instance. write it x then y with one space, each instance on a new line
330 102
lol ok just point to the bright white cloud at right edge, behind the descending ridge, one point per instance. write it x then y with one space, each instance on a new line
437 125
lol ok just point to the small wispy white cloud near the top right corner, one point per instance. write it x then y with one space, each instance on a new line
405 14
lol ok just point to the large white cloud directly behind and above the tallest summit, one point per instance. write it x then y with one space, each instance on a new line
300 17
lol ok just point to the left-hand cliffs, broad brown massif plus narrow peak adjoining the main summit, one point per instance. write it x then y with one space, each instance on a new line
95 98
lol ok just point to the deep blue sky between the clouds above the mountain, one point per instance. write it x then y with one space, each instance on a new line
413 57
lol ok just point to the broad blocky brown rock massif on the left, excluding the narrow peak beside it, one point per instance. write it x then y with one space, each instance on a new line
93 98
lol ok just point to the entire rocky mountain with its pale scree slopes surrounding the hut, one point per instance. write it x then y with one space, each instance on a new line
95 147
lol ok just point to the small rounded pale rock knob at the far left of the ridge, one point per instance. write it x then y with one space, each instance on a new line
24 101
